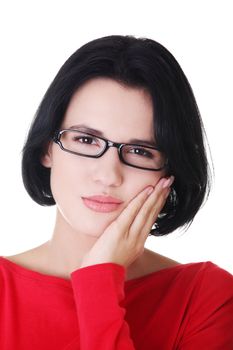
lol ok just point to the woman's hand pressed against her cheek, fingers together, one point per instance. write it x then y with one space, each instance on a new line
123 240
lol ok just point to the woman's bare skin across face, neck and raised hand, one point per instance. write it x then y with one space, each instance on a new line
82 237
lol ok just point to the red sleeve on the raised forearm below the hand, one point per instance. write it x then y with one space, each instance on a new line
99 292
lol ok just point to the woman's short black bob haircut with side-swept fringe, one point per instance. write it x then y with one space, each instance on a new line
178 129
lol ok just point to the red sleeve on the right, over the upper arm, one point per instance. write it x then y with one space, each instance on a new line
210 324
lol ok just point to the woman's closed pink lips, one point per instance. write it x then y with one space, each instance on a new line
100 206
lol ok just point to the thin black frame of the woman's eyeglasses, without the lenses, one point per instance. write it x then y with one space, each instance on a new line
108 144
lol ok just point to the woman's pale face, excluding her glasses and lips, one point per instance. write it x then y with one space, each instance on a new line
120 113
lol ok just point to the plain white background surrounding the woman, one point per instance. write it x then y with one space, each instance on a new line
38 36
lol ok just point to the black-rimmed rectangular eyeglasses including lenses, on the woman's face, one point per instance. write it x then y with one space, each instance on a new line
89 145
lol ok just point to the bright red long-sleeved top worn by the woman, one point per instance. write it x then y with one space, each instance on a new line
185 307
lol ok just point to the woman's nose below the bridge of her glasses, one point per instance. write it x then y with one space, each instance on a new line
107 169
